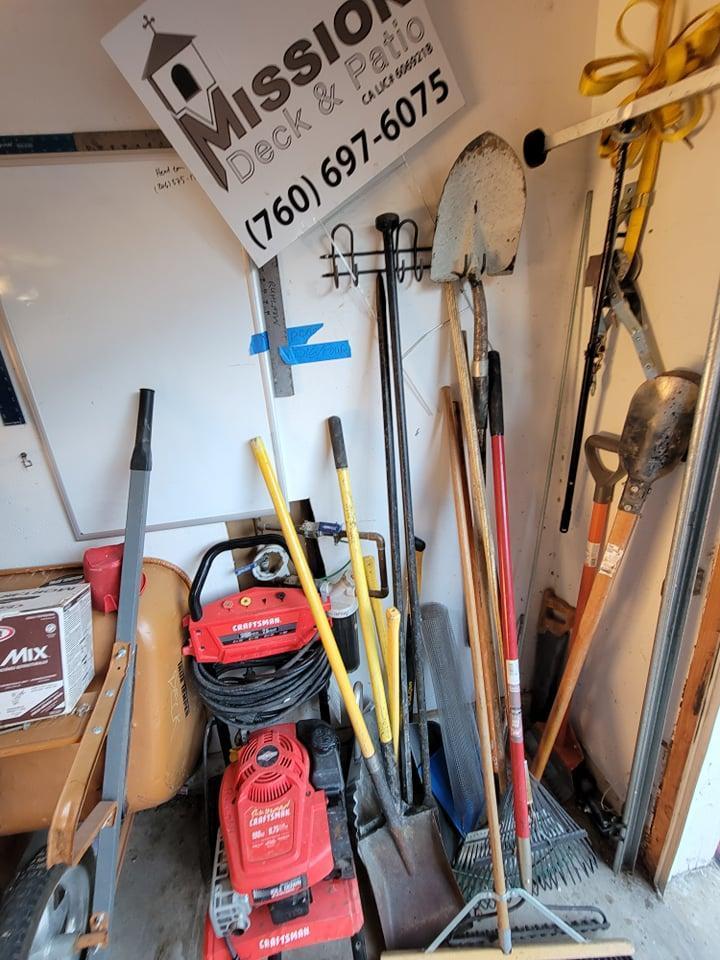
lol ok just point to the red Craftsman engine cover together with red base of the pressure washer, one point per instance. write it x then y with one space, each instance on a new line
277 842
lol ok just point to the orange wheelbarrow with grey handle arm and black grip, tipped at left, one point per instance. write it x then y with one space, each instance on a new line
130 743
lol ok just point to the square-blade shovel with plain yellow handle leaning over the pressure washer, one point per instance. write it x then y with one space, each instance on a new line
415 891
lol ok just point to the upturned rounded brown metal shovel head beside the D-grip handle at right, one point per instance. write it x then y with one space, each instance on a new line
657 427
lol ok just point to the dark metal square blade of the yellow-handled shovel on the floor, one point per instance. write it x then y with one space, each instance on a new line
414 904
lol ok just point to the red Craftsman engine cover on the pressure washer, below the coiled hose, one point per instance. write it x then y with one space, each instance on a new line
273 821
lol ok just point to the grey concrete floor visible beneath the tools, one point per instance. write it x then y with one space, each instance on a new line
162 900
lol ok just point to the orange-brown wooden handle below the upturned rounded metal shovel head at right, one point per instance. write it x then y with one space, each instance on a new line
617 543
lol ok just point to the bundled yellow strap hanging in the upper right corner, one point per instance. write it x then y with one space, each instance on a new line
670 61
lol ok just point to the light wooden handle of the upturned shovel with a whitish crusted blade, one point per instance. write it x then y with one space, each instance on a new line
477 481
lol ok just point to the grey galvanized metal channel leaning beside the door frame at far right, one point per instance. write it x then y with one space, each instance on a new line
693 508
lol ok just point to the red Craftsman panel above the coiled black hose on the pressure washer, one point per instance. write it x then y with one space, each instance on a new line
255 623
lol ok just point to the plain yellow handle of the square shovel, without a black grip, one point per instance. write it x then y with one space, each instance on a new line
327 639
